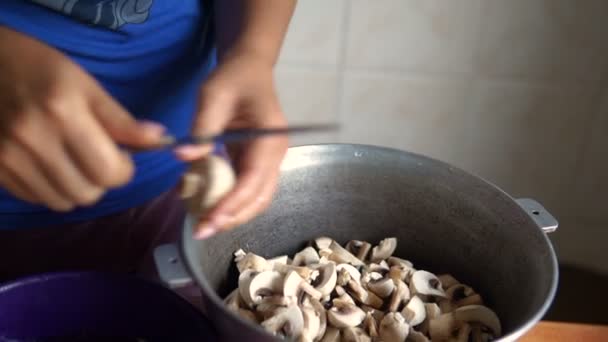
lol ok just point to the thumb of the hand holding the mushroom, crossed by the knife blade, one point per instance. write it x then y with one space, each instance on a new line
213 114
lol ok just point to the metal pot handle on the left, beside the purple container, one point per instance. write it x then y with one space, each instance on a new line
170 268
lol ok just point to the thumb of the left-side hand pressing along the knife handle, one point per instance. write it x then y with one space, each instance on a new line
122 127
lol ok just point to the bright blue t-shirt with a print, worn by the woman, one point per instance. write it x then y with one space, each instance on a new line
151 55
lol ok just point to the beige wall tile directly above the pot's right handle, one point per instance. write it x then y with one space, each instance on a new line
527 138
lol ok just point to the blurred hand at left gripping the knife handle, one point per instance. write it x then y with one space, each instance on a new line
59 129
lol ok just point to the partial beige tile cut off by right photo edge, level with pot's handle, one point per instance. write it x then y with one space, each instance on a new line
591 186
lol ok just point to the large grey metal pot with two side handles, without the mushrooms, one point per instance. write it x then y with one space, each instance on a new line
446 220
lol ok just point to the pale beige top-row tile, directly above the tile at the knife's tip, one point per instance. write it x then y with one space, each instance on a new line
430 35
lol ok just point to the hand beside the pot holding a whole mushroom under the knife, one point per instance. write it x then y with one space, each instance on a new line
240 93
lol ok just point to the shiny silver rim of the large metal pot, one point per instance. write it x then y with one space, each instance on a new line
517 332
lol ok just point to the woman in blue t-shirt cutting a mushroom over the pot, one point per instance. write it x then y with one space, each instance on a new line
81 78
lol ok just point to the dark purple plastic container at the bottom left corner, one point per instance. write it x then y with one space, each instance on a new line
97 305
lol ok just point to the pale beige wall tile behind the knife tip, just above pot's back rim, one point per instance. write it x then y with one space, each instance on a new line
419 115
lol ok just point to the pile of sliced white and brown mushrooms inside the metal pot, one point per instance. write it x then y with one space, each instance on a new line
328 292
